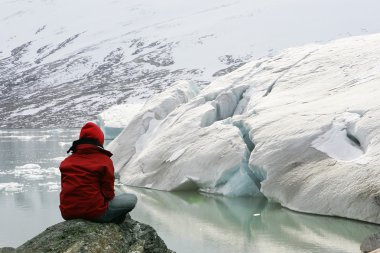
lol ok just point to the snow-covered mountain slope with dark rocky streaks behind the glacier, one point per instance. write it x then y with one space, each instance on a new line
63 62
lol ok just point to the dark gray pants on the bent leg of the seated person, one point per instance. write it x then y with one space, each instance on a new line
118 208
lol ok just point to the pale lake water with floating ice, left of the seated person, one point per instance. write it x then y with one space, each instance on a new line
29 181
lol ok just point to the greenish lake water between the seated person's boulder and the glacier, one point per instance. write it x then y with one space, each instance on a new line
191 222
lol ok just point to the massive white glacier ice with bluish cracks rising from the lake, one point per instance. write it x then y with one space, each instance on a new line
301 128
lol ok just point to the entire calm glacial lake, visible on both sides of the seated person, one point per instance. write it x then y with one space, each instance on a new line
186 221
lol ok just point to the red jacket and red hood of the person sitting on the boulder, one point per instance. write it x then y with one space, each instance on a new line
87 178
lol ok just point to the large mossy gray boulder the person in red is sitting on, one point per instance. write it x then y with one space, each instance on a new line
85 236
